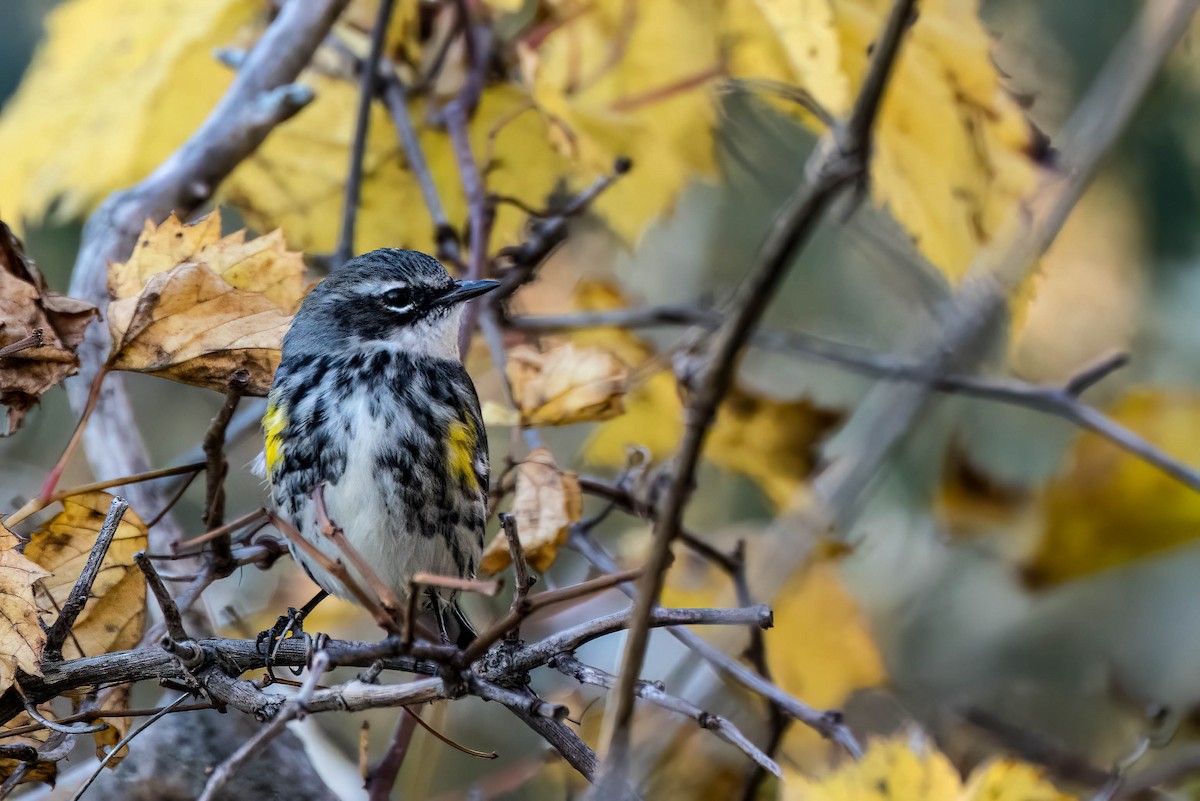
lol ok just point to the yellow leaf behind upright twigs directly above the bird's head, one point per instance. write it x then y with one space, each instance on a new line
297 179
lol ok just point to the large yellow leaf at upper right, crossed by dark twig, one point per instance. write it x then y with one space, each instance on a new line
953 154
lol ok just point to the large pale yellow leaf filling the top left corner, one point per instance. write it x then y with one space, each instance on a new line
117 88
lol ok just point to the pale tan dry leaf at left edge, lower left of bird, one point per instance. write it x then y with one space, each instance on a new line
22 639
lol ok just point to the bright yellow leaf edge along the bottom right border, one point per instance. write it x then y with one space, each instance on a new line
899 769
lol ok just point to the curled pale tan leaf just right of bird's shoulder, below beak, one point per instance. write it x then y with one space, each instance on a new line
567 384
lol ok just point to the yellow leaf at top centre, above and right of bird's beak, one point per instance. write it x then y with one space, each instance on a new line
632 80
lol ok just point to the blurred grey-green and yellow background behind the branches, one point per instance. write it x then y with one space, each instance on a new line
1004 570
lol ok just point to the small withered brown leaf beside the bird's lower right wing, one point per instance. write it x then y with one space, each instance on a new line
547 502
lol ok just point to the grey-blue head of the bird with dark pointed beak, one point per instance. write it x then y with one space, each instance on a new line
399 300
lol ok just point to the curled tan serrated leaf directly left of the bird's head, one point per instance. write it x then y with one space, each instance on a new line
196 309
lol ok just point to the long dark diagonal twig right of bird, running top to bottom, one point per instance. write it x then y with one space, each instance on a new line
841 162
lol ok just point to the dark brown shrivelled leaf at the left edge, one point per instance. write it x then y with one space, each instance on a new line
27 305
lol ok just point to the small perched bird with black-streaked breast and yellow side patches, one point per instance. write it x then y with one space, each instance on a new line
373 401
